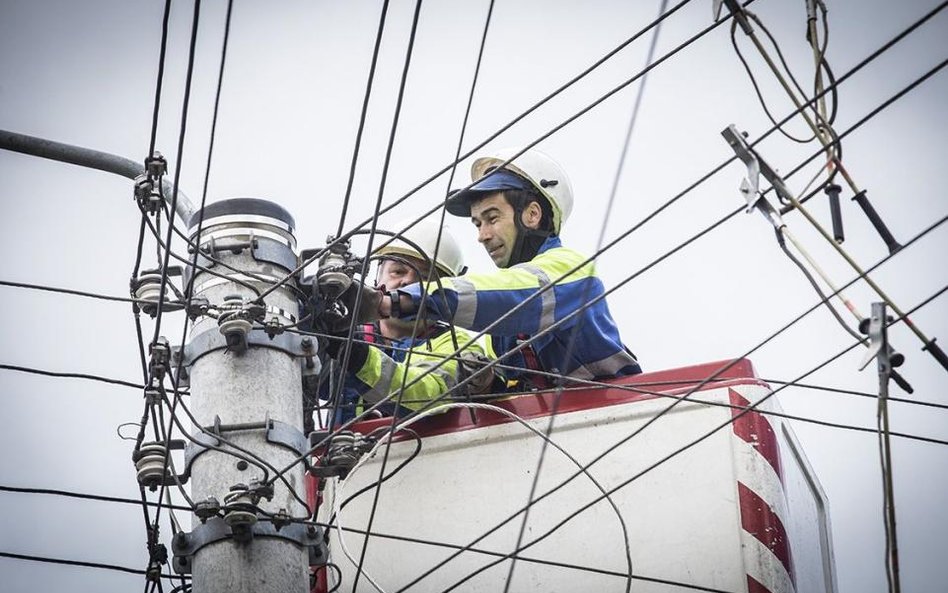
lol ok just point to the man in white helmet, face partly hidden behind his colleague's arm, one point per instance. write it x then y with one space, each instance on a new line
395 352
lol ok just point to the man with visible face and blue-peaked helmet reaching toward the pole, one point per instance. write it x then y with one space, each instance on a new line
519 209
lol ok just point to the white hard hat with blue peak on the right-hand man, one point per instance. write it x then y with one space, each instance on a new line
543 173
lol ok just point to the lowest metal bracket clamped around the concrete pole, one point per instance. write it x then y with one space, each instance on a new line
185 545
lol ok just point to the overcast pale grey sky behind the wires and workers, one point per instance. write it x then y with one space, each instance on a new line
84 73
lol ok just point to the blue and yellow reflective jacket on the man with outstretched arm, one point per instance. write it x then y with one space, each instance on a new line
475 301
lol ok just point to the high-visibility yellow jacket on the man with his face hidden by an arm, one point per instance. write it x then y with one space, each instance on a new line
381 371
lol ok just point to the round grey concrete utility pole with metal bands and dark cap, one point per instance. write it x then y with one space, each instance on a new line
246 387
